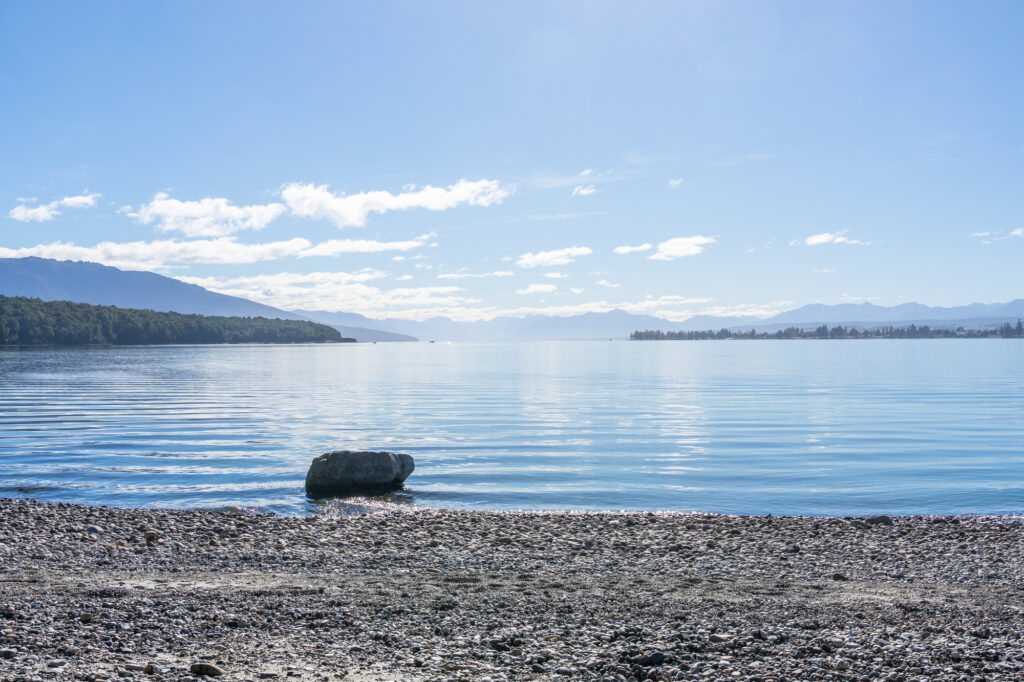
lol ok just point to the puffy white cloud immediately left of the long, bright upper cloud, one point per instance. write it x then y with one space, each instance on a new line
207 218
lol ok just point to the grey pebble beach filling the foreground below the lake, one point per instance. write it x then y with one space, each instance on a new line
421 594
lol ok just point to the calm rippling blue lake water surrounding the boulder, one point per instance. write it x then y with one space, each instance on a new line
796 428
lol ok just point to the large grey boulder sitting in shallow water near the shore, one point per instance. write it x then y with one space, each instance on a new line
350 472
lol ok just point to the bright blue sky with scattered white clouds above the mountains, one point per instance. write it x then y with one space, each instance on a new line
474 160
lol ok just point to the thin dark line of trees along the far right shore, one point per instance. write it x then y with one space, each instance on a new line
1007 331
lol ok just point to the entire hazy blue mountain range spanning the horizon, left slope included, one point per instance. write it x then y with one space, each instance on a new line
101 285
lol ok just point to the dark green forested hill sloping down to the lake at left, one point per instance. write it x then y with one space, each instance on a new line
32 322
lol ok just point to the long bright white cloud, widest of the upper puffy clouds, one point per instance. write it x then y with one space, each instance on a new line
312 201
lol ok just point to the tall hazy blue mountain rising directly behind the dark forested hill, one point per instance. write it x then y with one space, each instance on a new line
101 285
